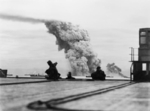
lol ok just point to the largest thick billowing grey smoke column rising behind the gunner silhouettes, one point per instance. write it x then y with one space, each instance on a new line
76 43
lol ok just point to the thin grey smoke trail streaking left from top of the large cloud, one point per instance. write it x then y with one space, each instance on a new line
21 18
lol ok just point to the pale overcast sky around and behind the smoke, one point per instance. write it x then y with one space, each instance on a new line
112 25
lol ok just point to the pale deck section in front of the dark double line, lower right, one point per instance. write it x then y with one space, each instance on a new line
132 98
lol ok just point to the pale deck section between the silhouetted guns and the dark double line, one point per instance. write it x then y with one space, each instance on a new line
18 96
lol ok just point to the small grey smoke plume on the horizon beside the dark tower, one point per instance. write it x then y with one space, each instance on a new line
112 68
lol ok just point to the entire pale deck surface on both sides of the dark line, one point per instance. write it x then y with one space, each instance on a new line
135 97
